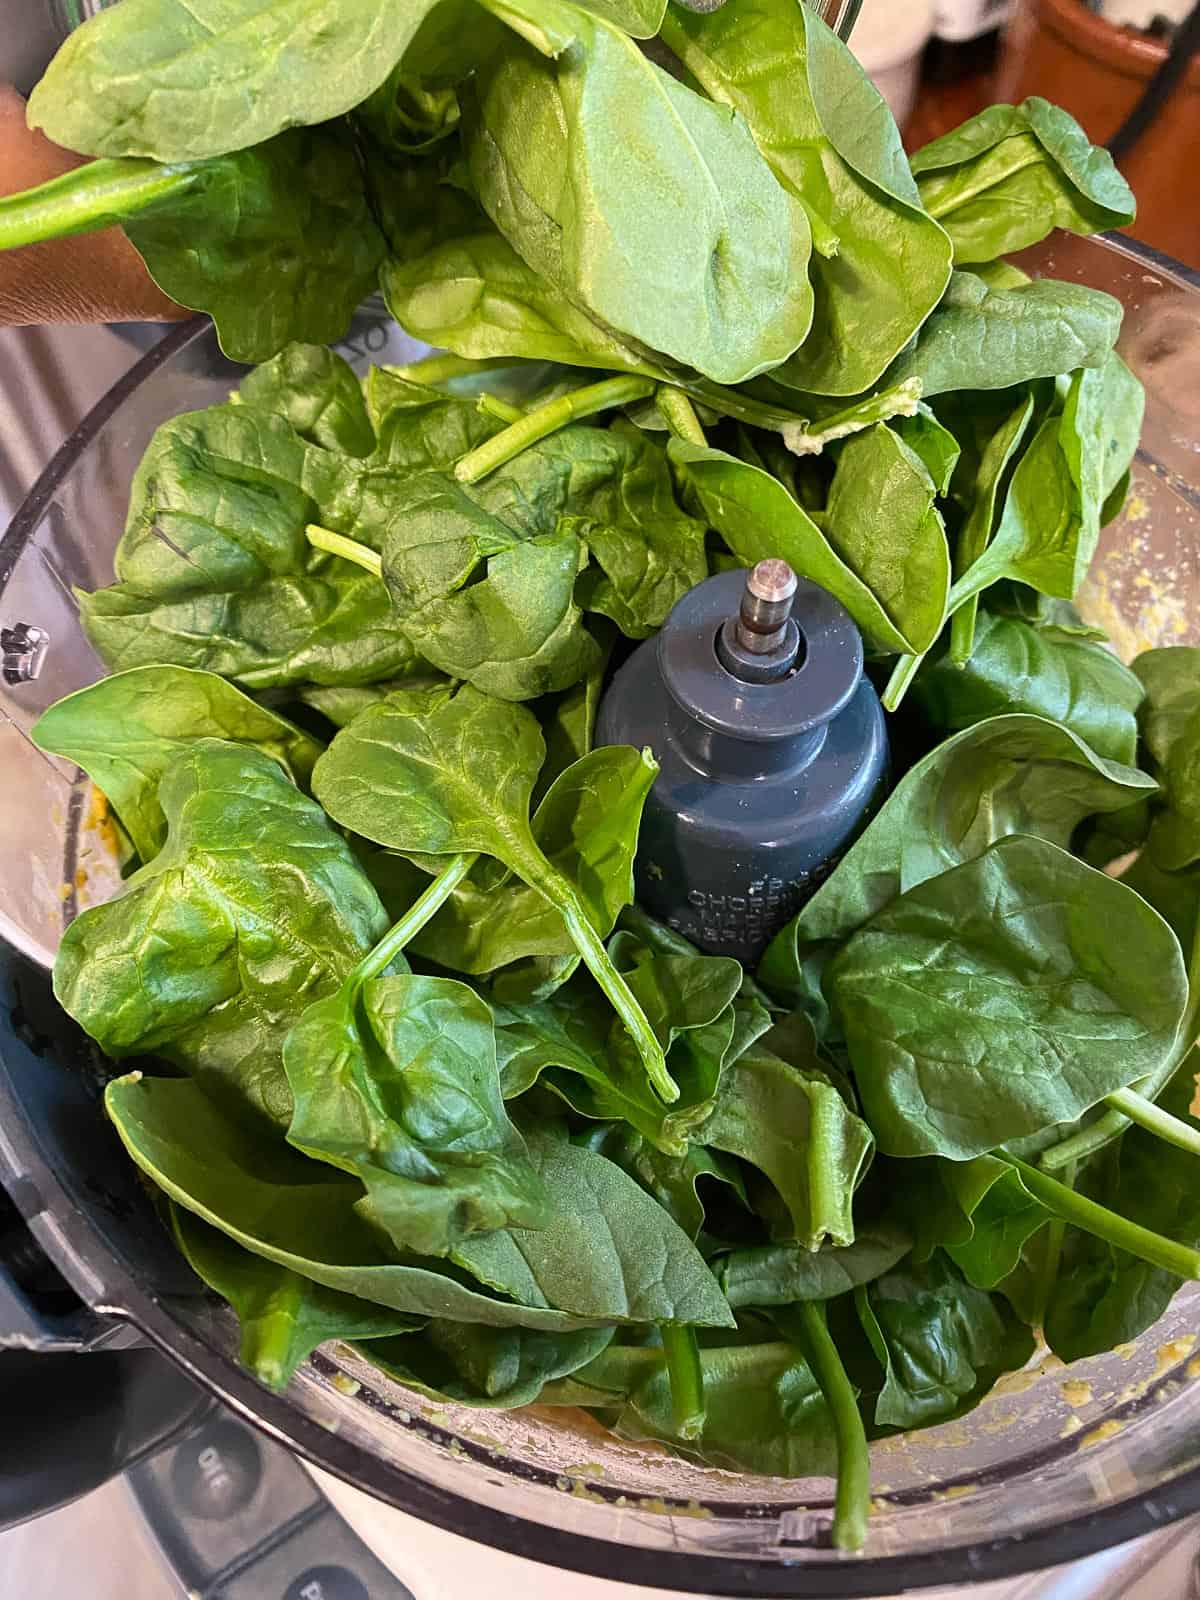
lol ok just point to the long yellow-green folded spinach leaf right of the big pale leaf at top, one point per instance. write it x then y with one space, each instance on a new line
881 262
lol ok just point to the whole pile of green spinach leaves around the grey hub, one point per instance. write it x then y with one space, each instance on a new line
436 1086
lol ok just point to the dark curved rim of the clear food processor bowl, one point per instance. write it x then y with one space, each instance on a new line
116 1292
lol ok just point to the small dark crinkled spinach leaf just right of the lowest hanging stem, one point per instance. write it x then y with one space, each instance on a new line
940 1342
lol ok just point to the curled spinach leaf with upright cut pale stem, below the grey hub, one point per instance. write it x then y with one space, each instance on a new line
796 1129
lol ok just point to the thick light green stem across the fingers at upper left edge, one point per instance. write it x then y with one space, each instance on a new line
92 198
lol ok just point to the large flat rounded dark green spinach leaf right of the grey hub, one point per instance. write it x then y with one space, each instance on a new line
985 1006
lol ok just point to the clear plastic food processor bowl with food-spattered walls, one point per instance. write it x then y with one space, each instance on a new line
1054 1465
